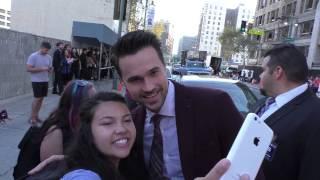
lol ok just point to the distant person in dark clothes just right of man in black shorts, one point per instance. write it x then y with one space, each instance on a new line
57 58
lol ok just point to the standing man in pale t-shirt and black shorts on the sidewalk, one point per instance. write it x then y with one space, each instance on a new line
39 65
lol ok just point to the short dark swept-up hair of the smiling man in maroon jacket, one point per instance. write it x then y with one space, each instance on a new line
131 43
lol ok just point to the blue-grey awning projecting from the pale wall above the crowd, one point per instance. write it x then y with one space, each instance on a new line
100 32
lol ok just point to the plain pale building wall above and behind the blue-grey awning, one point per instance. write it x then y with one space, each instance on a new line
54 19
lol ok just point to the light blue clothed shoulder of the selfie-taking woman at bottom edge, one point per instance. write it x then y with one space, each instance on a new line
81 174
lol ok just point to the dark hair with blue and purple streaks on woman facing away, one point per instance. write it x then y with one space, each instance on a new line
66 115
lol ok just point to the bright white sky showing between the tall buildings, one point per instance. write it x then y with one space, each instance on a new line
185 15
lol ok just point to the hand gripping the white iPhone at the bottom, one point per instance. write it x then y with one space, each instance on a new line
218 171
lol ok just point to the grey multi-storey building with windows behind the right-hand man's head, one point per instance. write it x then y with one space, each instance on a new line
288 21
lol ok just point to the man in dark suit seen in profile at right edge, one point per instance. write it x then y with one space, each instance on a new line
293 115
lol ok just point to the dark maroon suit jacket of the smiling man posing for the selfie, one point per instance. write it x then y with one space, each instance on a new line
207 124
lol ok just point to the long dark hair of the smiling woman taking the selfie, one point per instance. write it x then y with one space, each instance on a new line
83 153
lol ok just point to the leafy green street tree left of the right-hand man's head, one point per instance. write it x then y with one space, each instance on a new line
234 41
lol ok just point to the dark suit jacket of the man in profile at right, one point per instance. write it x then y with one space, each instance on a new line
296 126
